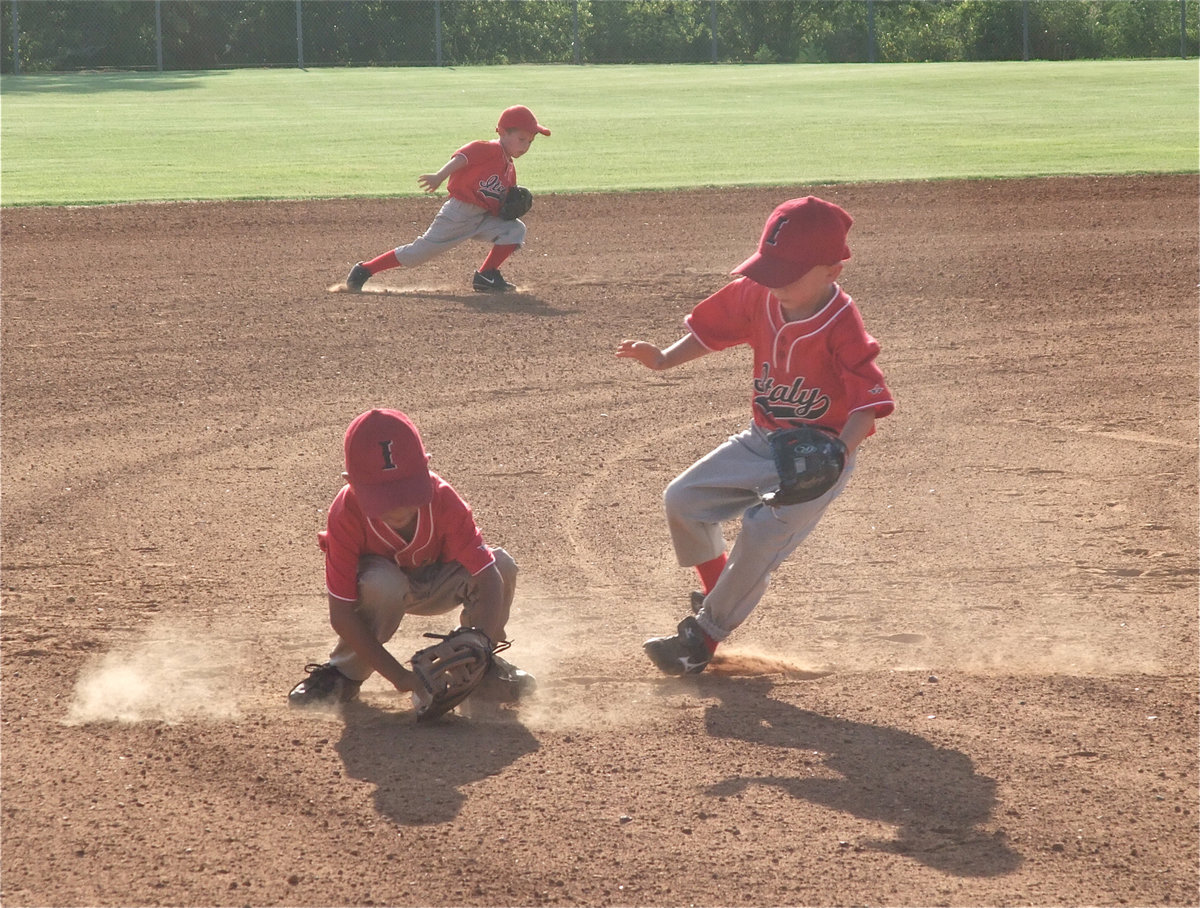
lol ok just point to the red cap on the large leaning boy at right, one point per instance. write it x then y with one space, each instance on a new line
800 236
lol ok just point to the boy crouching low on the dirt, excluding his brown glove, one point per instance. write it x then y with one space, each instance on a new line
400 540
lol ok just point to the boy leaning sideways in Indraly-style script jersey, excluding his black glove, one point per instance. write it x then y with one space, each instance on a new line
814 365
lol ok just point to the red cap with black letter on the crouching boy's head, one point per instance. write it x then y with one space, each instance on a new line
386 462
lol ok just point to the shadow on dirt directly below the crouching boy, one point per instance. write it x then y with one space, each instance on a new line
419 771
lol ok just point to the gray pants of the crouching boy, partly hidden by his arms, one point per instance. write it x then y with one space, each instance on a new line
387 594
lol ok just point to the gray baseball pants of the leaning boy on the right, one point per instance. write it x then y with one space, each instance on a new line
727 483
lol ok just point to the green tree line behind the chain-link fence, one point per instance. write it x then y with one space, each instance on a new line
79 35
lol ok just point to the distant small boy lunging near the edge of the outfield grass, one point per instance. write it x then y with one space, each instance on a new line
481 175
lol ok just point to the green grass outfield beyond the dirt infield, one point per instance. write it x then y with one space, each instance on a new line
321 134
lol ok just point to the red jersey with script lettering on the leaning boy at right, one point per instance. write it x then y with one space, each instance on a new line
817 371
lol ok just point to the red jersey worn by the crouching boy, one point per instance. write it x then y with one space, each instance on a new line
446 532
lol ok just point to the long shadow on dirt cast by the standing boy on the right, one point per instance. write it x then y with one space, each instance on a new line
932 795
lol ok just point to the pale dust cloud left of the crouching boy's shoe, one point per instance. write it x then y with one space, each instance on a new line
159 681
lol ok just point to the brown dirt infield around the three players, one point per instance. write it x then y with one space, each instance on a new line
975 685
